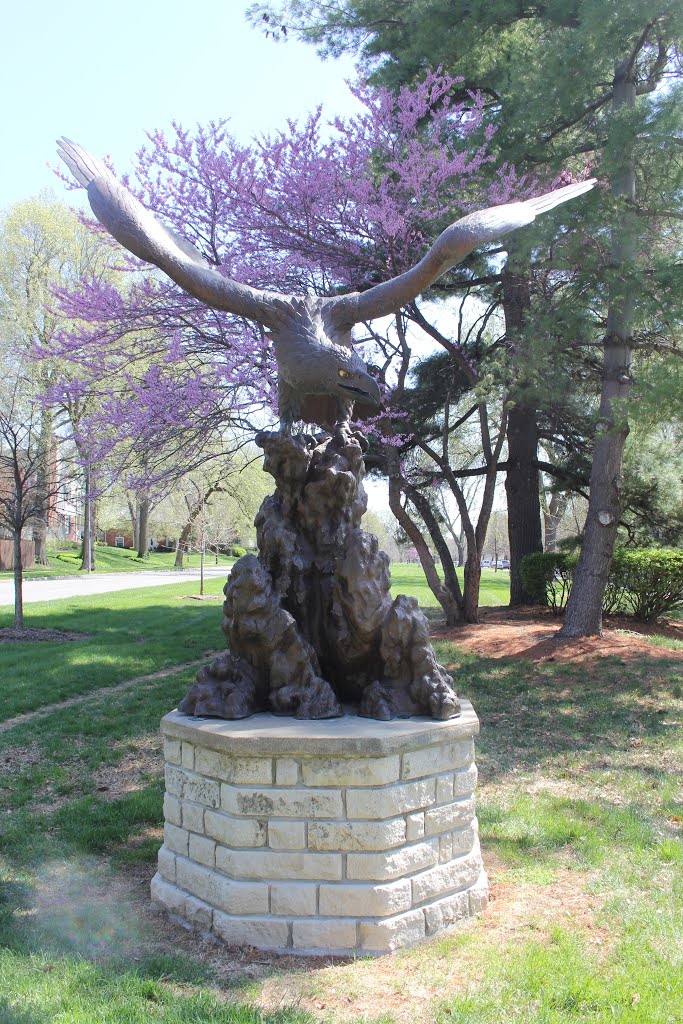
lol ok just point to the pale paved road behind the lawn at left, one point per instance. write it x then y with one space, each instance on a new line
101 583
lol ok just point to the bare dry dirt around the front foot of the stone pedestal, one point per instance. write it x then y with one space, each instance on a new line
408 987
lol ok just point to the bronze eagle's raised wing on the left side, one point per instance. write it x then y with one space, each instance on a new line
140 232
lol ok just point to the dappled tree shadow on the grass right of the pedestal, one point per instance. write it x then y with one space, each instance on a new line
533 714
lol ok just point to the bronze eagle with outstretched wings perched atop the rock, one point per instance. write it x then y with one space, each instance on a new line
312 336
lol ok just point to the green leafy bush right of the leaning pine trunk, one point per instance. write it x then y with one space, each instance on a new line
652 580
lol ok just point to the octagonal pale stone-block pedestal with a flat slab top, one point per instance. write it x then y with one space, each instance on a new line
346 836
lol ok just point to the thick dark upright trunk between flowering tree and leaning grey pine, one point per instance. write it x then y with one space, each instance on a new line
523 481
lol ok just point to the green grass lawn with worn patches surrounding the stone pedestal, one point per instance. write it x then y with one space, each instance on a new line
580 808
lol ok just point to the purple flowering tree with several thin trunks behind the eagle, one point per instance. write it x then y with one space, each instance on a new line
313 208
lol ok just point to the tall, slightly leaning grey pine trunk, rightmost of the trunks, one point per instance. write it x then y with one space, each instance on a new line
584 612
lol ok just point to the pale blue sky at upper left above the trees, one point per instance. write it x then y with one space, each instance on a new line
104 74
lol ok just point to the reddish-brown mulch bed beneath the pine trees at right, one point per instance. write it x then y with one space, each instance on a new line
532 635
